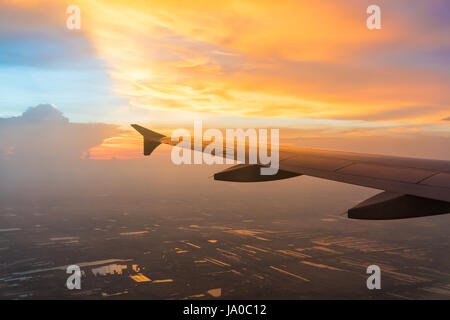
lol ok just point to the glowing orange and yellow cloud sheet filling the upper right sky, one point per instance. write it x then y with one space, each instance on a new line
290 59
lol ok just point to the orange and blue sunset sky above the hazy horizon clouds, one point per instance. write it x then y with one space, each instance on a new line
287 64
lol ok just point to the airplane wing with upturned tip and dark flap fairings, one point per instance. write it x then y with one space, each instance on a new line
411 187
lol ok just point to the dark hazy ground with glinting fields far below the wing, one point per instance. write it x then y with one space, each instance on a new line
255 250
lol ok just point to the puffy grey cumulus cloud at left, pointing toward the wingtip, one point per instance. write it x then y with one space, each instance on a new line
43 136
